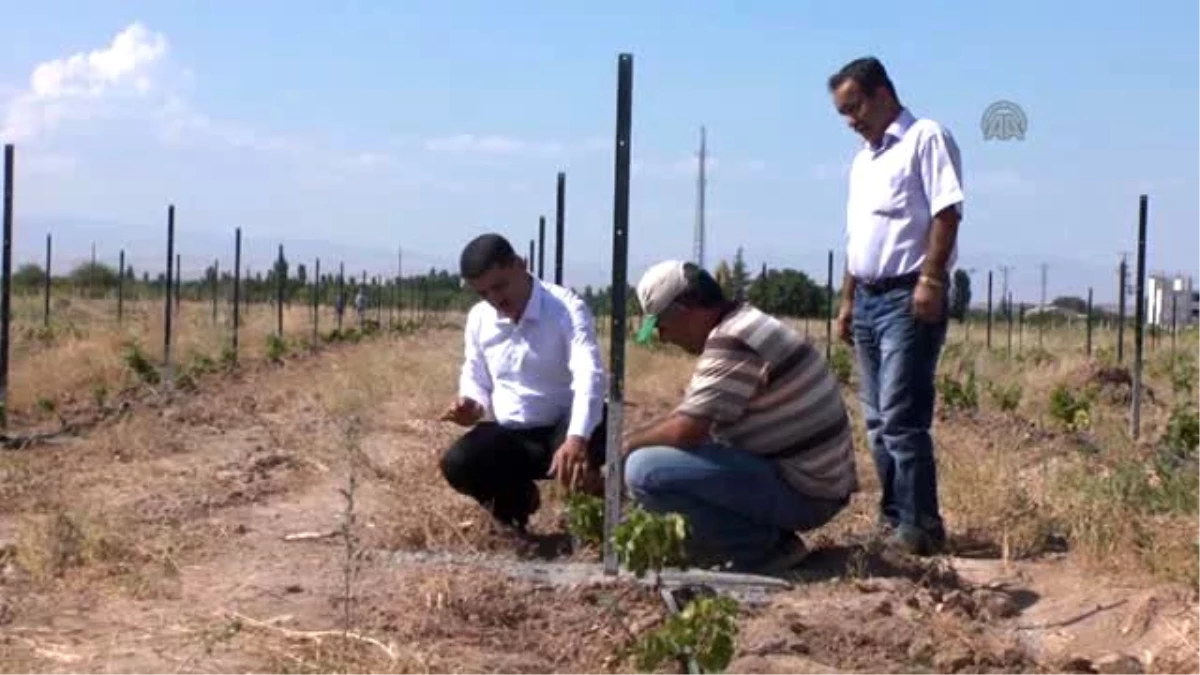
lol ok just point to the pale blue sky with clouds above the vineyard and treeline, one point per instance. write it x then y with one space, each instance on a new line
356 132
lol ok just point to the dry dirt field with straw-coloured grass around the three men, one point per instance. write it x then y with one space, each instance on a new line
158 541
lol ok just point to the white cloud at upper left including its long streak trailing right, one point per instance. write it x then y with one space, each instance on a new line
133 80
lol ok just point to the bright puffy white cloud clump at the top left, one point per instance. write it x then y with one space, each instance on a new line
83 86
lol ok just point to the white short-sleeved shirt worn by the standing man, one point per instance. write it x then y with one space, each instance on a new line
895 193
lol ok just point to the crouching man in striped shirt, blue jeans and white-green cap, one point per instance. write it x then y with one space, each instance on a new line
760 449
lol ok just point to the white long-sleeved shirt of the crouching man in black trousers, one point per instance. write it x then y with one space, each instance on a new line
541 371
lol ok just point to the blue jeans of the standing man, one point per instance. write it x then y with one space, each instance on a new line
898 359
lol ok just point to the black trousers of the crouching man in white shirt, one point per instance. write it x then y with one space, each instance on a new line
499 467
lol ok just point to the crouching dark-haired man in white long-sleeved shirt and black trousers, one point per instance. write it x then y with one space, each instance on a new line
531 390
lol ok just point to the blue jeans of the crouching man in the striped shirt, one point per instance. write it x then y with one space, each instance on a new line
737 505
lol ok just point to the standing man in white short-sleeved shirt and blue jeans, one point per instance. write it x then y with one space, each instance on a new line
902 226
